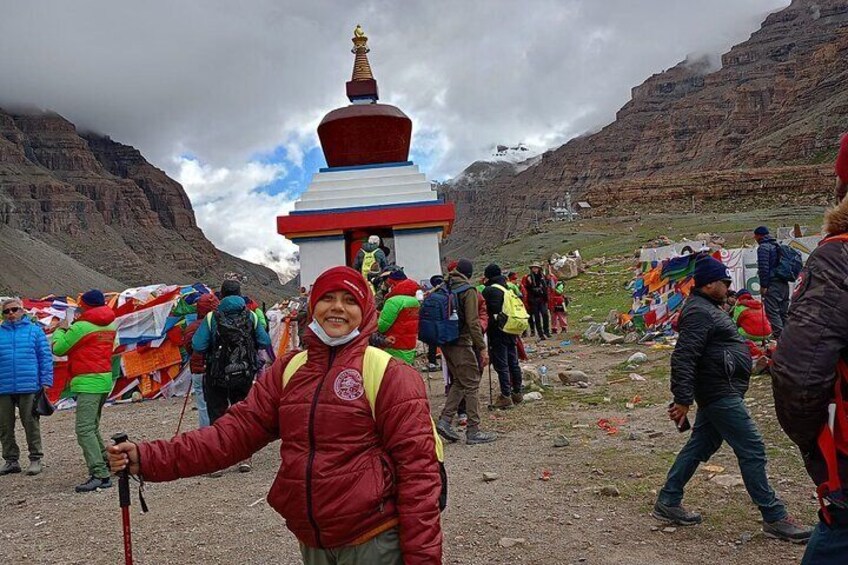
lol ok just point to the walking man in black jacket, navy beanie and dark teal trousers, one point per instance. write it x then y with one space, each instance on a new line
711 366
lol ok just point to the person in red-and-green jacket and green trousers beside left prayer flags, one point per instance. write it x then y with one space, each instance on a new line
89 342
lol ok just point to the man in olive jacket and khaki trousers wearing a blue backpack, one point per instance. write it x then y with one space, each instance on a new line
461 359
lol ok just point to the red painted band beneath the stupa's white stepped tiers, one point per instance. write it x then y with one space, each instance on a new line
333 222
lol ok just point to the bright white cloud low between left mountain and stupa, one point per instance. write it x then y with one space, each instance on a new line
235 215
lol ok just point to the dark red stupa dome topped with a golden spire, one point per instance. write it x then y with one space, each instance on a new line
364 133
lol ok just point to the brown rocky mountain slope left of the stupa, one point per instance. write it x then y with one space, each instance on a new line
80 210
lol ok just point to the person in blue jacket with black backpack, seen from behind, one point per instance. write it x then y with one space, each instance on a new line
230 337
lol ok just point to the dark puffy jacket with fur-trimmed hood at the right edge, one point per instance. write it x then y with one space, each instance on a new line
814 339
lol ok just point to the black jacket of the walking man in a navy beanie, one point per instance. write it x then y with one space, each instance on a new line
711 360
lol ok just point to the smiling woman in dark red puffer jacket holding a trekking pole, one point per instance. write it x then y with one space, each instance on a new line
354 486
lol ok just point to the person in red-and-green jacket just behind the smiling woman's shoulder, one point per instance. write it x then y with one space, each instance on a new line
399 317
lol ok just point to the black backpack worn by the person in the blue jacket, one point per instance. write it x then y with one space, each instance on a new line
232 360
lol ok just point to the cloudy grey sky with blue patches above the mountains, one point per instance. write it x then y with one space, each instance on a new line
225 96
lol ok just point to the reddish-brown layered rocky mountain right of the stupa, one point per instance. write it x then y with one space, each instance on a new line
764 127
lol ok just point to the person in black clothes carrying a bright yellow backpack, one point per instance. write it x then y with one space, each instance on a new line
503 347
